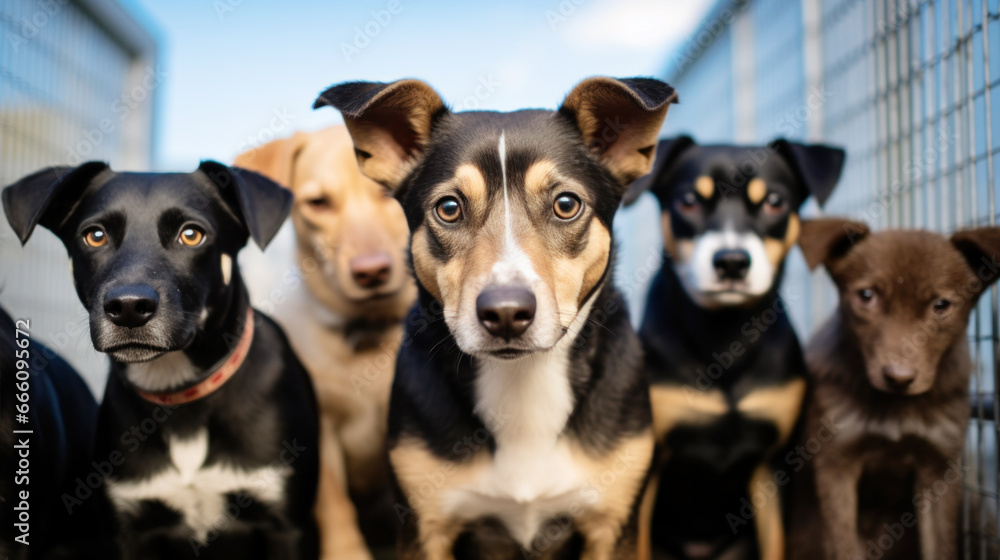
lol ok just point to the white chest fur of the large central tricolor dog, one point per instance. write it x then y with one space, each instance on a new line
534 474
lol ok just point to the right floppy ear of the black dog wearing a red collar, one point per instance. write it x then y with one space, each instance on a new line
260 202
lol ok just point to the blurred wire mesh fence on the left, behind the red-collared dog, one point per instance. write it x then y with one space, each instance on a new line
76 81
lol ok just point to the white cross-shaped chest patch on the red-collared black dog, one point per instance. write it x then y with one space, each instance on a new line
196 491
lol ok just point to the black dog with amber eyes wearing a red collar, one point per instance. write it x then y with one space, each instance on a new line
208 419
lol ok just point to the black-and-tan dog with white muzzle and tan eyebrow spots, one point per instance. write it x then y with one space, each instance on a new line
727 370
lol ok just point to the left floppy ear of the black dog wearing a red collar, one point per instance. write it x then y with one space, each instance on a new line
47 197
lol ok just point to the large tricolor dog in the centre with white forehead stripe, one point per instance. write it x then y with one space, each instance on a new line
519 420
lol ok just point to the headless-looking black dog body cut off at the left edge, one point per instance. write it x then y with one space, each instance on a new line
46 440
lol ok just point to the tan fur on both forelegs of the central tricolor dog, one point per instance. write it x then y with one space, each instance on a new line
429 480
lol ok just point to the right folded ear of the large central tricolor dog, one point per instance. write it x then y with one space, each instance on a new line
620 121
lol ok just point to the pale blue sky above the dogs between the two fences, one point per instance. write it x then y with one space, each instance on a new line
239 72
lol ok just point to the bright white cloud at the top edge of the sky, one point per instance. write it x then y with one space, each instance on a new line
627 24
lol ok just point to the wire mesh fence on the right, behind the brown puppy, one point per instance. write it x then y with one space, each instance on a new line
912 89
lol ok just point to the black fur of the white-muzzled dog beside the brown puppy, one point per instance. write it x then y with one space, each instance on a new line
705 480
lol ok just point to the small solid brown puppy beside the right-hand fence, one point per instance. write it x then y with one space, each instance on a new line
890 405
